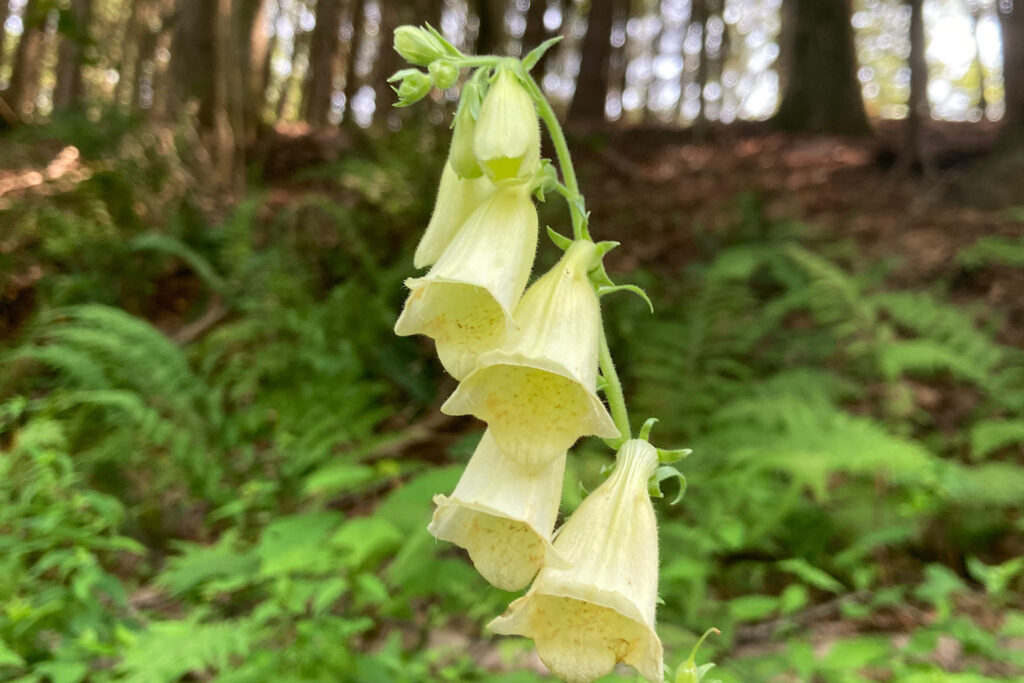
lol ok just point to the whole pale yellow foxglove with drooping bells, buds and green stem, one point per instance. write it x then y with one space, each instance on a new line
531 366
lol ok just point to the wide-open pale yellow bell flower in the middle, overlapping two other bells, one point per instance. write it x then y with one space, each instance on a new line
537 393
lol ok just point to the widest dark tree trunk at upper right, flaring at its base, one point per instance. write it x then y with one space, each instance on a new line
823 96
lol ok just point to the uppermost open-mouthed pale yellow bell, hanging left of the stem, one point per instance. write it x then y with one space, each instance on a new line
465 302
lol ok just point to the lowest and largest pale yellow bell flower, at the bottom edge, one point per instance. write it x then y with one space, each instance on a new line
601 612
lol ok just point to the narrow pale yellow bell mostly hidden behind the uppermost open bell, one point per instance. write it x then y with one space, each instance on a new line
457 200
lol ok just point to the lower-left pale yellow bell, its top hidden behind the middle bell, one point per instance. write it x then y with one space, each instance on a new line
503 517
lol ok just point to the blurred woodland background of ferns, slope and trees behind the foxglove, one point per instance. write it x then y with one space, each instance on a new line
218 462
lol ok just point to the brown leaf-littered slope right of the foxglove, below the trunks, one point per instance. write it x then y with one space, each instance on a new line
850 188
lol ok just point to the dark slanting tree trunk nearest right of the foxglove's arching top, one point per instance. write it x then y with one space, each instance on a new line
592 84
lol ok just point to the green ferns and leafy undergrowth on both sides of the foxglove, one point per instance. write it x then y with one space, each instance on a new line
214 466
